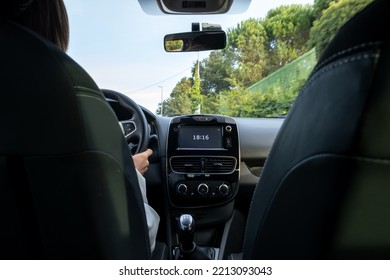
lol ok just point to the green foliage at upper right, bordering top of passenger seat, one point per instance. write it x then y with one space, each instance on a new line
337 14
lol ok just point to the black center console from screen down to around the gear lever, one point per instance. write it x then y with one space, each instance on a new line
203 163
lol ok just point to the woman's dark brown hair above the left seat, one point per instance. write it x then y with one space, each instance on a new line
49 19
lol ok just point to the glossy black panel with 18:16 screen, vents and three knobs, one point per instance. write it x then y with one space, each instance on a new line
203 160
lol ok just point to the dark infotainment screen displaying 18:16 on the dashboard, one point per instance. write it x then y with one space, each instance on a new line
200 137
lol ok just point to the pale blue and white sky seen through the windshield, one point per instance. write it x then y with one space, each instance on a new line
121 47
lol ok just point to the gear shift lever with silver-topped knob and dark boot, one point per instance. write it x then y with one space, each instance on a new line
186 233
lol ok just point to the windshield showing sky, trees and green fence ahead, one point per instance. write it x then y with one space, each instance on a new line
271 49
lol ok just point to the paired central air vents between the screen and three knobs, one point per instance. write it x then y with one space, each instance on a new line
203 165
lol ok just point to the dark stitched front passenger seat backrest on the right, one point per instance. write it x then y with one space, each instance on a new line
325 189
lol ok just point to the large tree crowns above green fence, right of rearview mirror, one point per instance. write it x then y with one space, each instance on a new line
258 47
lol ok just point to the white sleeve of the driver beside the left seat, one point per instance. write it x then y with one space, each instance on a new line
152 218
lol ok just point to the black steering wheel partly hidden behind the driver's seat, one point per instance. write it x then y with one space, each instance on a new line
135 129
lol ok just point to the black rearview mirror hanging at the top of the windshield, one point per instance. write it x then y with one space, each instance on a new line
195 41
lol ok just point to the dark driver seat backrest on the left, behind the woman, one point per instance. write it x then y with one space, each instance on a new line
68 187
